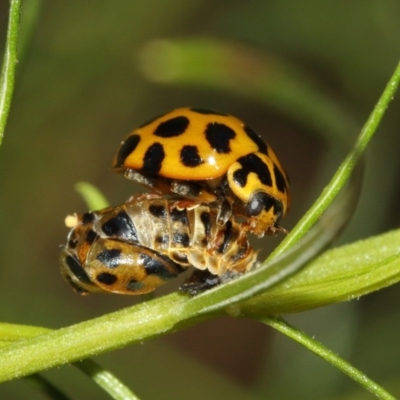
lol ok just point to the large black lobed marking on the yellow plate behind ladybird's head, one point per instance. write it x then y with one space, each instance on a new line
252 163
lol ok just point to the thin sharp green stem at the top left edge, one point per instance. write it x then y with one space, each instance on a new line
9 64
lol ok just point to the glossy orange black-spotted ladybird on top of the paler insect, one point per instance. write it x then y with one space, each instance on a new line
208 156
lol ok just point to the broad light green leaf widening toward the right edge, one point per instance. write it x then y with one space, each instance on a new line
340 274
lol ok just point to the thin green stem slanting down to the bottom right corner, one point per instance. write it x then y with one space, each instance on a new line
328 355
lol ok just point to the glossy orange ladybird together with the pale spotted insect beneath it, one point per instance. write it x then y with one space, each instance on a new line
219 180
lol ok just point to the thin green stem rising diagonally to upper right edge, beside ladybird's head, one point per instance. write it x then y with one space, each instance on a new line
346 168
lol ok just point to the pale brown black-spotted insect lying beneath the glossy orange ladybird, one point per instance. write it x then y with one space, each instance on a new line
135 247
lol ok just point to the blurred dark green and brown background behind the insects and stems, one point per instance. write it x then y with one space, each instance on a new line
91 71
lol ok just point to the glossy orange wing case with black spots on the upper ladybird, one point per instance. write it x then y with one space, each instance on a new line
203 148
